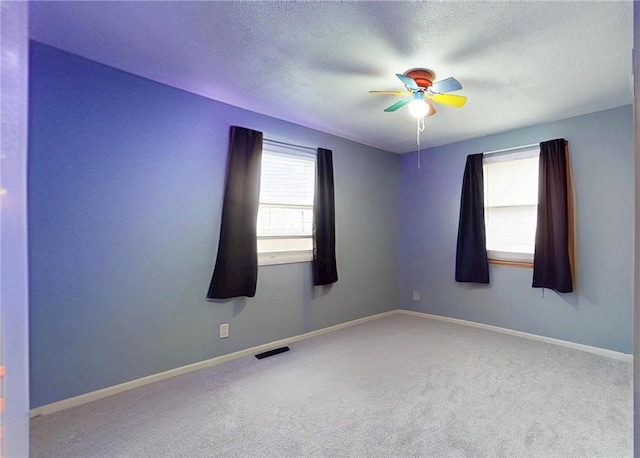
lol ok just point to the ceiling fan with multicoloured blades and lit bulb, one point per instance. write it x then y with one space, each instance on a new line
421 90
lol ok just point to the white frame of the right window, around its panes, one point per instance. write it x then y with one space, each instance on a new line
509 258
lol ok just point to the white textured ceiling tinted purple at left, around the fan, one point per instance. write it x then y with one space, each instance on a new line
312 63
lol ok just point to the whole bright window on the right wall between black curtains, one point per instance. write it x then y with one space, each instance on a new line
511 205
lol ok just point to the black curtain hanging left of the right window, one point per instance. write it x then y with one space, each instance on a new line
472 264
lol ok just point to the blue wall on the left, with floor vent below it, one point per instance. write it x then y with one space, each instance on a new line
126 180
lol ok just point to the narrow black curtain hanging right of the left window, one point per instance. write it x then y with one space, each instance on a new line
324 221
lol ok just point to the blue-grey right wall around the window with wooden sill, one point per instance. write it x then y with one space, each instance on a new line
600 312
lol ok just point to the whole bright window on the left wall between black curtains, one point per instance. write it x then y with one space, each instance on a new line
285 212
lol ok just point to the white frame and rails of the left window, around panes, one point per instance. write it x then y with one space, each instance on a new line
268 258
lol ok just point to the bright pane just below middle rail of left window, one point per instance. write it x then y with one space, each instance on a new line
274 220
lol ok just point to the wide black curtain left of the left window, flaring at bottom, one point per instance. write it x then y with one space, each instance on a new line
236 270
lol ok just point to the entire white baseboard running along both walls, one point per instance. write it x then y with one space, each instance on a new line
103 393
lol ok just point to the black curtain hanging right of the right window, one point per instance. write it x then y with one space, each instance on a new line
551 265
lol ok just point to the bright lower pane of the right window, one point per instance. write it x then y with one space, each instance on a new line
511 228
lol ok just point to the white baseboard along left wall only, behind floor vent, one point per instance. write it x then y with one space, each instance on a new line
115 389
